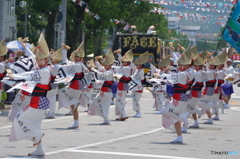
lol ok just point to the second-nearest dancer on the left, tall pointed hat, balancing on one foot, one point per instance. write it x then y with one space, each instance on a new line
70 95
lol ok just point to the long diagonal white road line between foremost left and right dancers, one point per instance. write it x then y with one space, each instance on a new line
107 141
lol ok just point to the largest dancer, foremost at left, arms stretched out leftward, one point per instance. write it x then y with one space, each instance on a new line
27 123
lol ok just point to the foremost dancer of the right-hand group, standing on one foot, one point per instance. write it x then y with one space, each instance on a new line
175 110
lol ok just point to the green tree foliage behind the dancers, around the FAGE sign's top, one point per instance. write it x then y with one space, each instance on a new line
102 17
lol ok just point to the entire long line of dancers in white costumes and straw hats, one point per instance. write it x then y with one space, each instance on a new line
183 85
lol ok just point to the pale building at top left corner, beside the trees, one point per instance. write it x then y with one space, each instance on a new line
10 31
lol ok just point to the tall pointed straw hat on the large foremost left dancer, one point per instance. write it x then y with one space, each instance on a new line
42 50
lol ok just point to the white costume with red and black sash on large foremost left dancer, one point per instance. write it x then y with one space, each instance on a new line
27 123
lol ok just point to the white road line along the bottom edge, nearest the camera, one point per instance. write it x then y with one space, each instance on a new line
129 154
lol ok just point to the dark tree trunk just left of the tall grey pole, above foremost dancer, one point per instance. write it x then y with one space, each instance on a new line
50 29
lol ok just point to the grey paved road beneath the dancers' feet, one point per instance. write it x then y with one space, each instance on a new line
135 138
